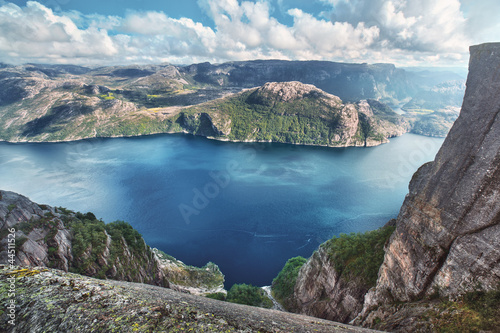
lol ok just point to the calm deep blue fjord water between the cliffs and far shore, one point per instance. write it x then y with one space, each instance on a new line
246 207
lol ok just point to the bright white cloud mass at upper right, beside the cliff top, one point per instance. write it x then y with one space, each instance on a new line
413 25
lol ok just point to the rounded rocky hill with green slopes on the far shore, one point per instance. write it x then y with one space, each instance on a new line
293 112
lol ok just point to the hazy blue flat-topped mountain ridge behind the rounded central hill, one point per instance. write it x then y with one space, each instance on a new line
351 82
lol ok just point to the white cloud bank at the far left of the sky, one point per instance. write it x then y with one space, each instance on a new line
35 33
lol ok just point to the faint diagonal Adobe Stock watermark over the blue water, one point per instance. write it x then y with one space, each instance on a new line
219 180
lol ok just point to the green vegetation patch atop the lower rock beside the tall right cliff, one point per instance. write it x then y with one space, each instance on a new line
359 255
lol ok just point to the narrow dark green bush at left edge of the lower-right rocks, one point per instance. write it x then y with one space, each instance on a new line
284 283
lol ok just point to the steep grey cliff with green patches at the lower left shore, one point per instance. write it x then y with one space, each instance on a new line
50 237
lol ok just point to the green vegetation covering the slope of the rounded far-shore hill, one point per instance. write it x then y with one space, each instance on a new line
306 121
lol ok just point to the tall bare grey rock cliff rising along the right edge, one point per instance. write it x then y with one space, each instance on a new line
448 229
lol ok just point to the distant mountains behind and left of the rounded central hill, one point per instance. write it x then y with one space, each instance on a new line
65 102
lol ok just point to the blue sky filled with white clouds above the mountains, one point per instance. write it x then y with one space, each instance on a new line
111 32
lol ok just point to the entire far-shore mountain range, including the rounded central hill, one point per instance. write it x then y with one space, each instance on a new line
66 102
